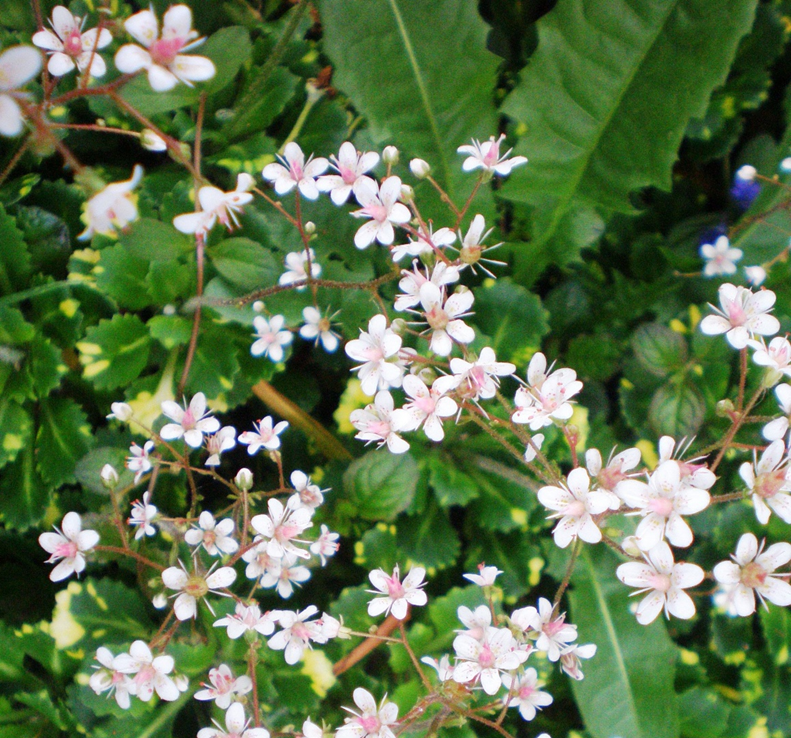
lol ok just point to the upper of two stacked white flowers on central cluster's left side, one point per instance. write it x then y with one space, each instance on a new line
378 350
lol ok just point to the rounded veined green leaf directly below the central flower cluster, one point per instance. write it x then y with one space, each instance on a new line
380 485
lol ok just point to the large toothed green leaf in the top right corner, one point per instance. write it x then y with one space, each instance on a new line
605 102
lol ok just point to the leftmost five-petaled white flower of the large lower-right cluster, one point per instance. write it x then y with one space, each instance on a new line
575 505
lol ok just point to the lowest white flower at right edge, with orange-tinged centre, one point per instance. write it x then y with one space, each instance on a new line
750 572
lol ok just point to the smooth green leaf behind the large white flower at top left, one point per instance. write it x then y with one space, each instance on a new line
229 48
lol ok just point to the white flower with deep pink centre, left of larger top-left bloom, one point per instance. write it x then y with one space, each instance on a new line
68 46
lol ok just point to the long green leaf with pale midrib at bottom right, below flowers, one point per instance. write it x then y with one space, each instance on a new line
628 685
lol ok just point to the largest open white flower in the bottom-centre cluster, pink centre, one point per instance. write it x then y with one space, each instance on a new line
484 659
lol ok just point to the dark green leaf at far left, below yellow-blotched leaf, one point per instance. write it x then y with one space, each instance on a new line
64 437
